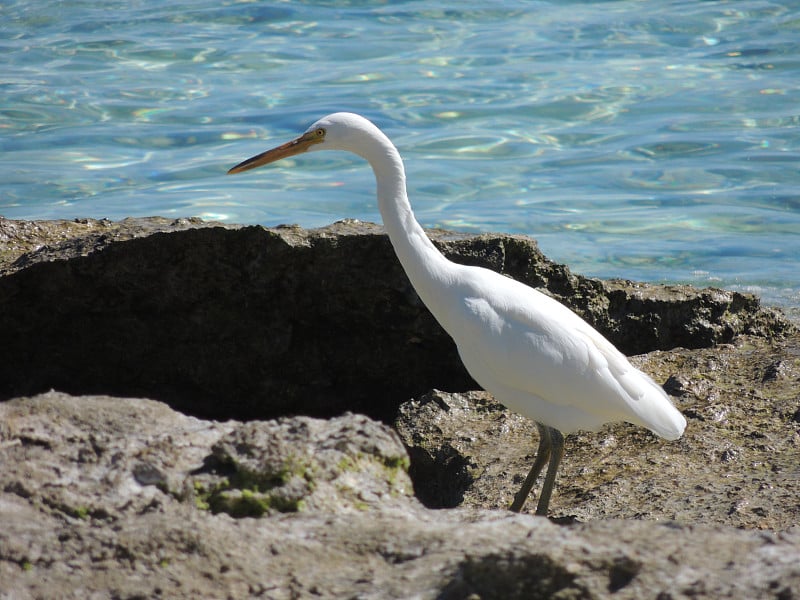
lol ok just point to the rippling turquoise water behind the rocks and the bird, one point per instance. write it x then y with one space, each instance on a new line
641 139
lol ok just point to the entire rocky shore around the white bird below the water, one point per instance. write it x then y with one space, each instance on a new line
294 442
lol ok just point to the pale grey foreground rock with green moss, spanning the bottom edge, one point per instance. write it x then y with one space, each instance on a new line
107 498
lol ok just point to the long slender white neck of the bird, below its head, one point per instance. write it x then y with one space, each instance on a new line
425 266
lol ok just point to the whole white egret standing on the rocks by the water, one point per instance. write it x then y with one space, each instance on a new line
531 352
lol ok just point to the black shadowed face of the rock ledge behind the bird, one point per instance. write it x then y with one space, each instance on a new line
226 324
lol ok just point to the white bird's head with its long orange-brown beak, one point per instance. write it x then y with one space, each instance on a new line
339 131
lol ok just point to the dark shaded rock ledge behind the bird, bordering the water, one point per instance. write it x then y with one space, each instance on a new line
247 322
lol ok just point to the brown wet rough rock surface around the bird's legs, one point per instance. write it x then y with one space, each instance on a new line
736 464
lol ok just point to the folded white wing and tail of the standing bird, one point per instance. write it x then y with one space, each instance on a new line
537 346
